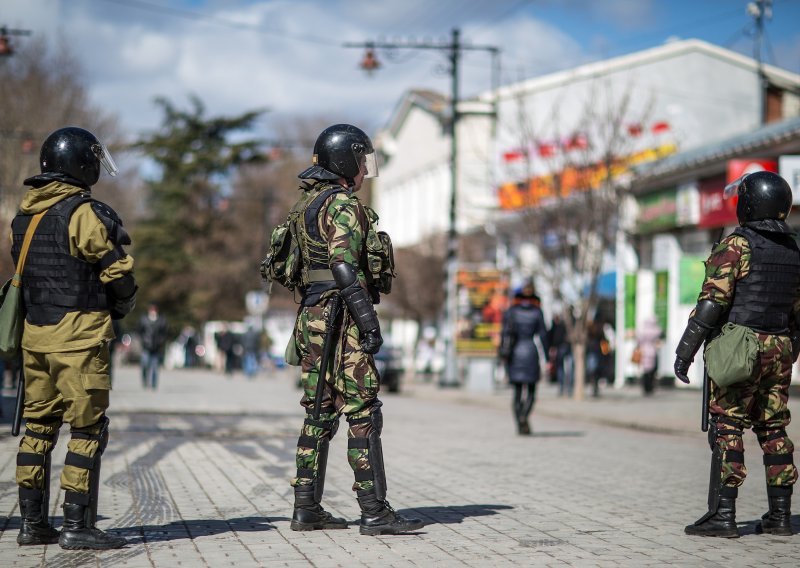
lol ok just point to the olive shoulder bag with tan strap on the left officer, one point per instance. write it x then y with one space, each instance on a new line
12 307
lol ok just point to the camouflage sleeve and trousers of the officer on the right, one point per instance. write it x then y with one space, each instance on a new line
759 403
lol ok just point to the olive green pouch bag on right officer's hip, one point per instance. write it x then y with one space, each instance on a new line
731 356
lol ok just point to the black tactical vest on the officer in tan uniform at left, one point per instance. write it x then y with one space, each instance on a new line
55 282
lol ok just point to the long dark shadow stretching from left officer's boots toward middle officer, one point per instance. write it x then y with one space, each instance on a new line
177 530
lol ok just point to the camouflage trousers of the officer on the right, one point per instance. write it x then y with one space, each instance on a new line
759 403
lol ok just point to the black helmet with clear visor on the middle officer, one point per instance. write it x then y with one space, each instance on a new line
339 152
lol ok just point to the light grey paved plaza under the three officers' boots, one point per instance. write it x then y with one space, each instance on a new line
196 474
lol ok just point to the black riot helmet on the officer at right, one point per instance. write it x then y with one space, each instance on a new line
762 195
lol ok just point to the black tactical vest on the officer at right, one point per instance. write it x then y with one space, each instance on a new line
764 299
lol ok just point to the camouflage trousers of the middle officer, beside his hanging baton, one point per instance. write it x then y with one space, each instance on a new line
351 388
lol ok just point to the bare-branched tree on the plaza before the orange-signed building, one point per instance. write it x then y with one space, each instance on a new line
571 200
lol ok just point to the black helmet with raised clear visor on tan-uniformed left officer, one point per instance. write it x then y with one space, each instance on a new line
76 153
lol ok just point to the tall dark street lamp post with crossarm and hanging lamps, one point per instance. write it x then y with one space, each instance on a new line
454 50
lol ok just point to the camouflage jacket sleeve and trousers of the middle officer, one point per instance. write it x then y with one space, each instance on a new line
352 386
